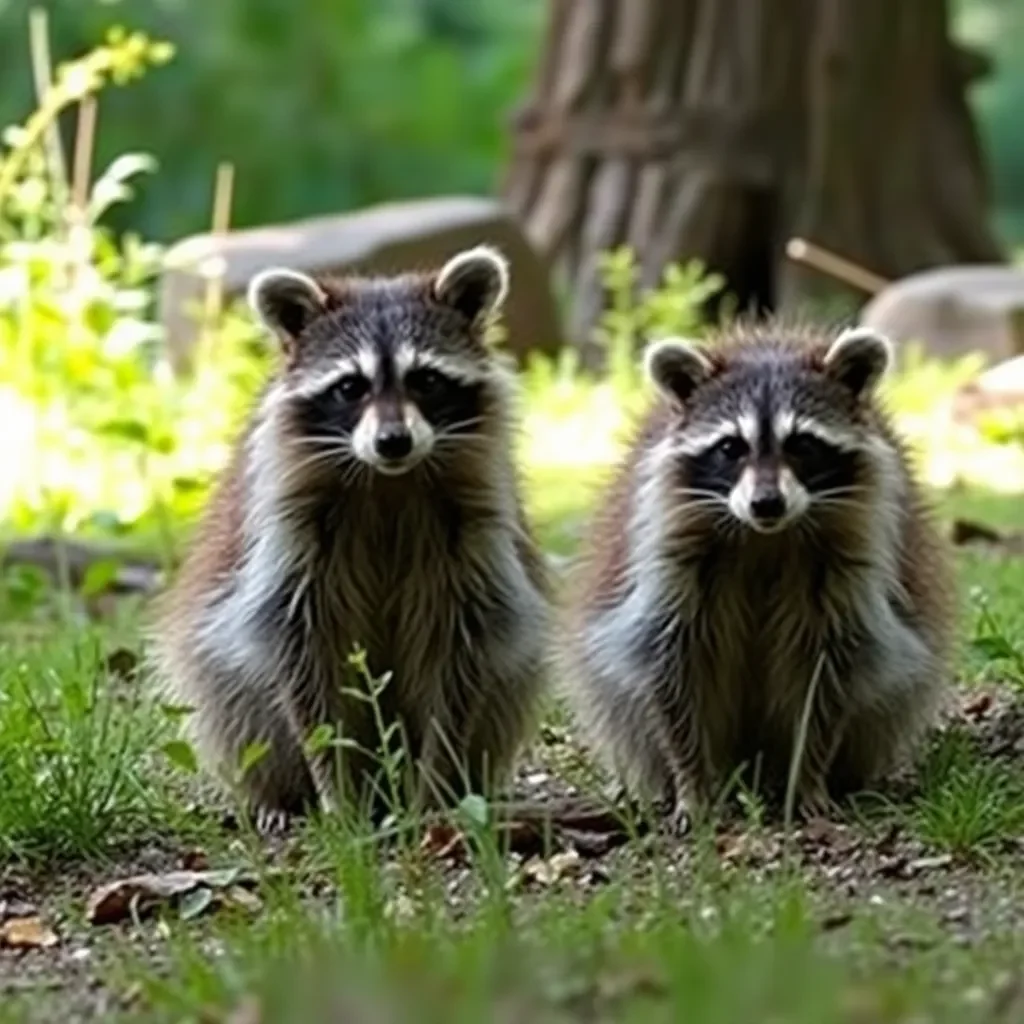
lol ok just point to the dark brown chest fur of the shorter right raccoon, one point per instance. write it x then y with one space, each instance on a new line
750 646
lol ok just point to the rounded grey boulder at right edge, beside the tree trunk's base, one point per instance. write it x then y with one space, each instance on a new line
955 311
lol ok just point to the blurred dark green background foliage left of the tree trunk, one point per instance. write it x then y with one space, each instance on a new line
365 101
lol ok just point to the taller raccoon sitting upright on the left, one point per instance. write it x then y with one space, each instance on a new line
372 501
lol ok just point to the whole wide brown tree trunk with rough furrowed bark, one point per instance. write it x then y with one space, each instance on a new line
719 129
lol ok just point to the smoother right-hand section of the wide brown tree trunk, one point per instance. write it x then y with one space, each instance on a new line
895 180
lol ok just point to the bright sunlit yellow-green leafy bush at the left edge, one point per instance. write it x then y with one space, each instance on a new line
101 434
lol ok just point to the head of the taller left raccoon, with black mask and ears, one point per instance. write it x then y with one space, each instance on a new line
387 373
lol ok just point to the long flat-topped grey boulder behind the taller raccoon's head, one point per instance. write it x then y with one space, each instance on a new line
388 239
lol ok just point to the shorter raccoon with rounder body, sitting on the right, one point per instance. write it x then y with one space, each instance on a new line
763 540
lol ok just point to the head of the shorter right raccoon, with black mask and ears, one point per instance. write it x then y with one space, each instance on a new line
772 434
